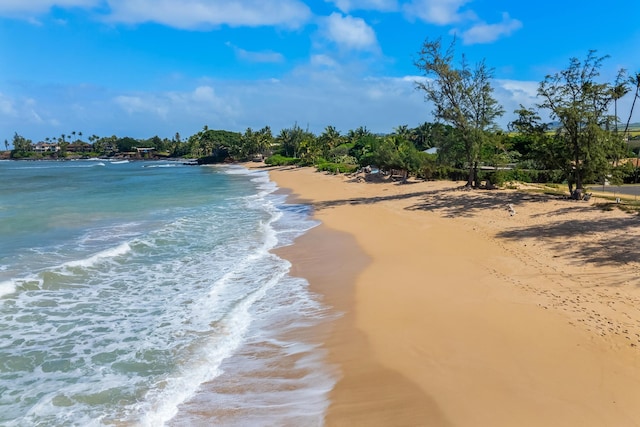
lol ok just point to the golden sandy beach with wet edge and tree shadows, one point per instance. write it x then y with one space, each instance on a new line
457 313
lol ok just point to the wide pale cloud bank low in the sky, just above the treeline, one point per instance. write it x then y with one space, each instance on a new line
324 92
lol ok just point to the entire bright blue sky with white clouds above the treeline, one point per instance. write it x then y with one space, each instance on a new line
141 68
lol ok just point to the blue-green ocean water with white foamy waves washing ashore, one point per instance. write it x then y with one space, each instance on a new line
145 294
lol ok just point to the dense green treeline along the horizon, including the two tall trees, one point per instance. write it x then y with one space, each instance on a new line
585 144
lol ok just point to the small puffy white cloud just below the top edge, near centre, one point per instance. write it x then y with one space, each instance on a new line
349 32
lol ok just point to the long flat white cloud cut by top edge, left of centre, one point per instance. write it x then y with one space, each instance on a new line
190 14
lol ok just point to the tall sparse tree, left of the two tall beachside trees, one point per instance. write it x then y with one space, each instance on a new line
462 97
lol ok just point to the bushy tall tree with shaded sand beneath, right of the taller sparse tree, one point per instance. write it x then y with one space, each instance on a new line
581 105
